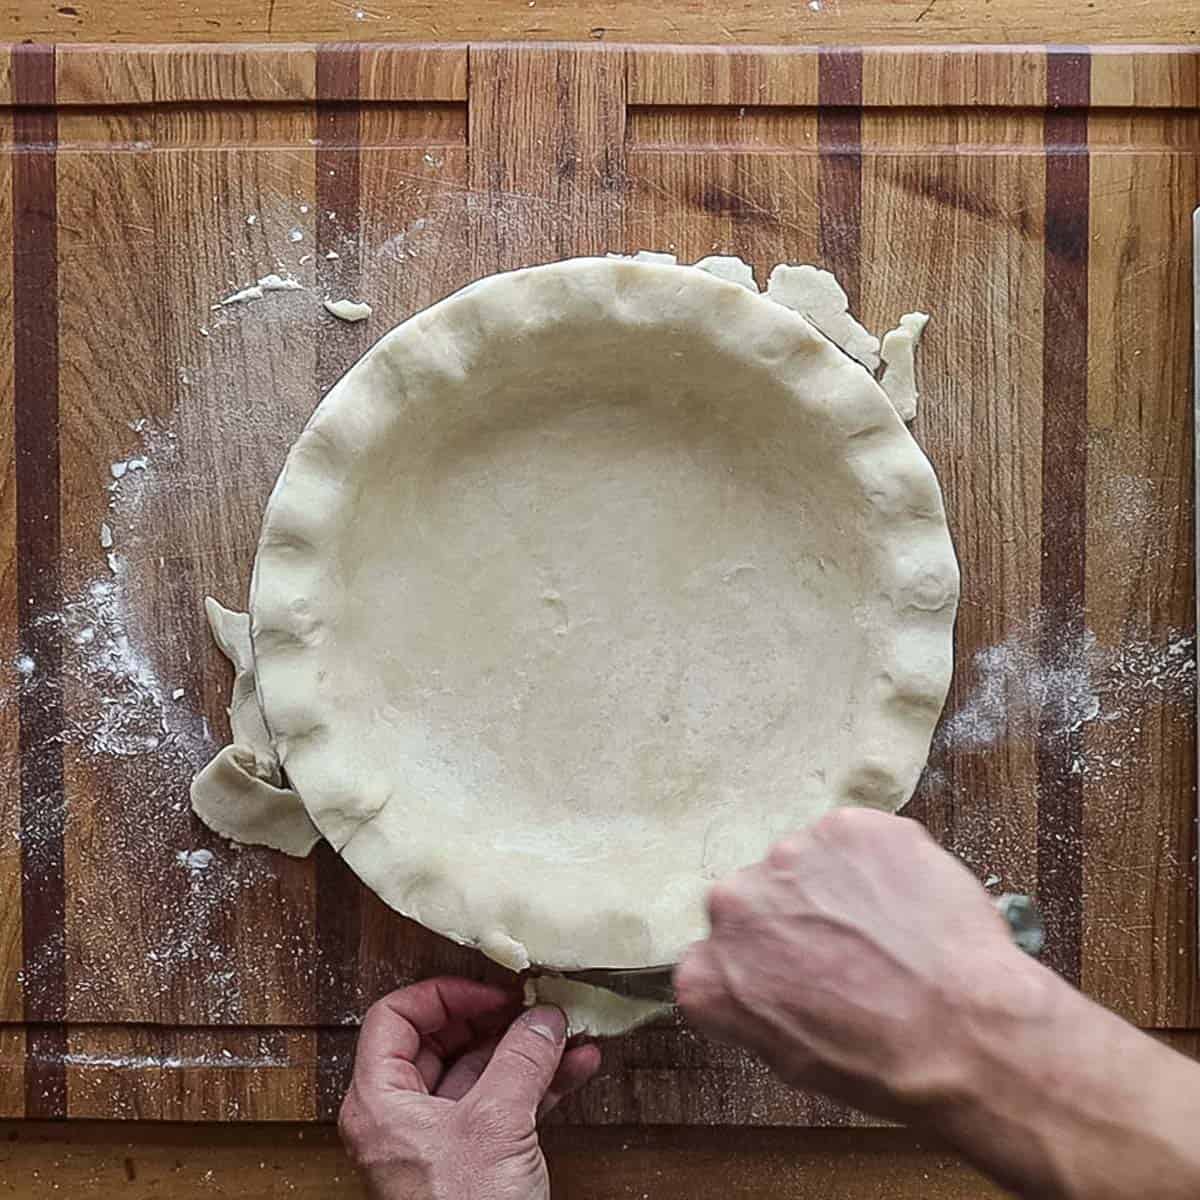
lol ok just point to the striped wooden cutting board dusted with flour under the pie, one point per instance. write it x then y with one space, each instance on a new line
1035 202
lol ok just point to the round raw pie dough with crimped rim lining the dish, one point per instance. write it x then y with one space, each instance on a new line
581 589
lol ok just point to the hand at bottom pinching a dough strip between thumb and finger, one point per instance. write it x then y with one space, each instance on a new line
447 1094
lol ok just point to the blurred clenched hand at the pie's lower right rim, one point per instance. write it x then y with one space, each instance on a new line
861 961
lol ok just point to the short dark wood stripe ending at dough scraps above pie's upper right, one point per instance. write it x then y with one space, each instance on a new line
841 175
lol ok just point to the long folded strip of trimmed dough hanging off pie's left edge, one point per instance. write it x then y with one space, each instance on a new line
241 794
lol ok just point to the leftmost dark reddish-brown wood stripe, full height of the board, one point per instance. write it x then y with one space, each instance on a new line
39 586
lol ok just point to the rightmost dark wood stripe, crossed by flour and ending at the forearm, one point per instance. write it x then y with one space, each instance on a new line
1060 823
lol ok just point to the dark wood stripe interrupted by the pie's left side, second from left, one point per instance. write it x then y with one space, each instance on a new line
339 913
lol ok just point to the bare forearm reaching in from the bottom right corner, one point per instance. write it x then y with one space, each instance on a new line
1067 1101
